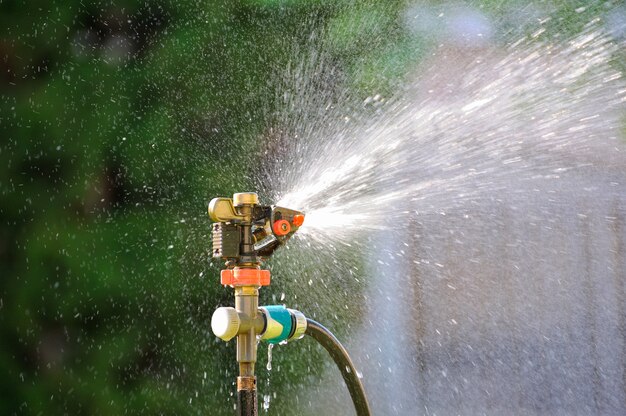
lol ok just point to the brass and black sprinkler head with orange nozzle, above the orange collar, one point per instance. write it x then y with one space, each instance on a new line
246 232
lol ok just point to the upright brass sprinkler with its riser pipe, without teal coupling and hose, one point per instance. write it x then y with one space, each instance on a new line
244 233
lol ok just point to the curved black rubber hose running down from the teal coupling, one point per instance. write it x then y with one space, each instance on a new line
339 354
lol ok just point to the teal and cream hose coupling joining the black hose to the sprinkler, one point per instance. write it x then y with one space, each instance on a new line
282 324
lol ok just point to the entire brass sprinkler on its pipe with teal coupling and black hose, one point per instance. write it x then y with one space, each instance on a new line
244 234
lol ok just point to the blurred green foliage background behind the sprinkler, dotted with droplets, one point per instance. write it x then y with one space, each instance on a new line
119 121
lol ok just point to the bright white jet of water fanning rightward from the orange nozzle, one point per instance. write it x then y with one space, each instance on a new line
501 118
